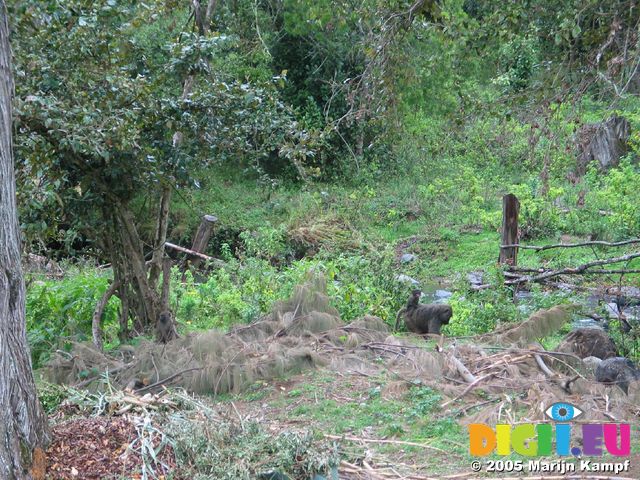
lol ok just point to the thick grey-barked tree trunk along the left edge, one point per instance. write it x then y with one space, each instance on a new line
23 427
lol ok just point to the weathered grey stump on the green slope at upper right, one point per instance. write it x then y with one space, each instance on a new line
604 142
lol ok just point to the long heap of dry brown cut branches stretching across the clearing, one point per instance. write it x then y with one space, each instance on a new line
494 378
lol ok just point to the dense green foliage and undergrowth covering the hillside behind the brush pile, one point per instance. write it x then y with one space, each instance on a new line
324 135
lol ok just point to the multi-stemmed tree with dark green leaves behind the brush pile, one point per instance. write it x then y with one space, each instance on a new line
120 104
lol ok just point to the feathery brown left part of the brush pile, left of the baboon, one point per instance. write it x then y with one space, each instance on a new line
300 333
